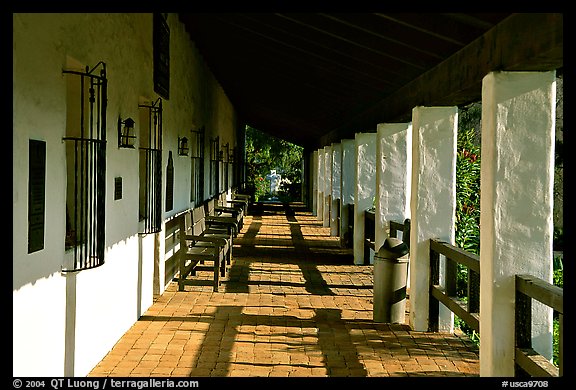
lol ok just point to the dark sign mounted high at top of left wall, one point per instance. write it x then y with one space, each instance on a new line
161 42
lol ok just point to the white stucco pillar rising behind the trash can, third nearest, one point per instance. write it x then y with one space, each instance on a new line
393 176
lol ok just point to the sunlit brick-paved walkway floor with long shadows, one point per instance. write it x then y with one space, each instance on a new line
293 304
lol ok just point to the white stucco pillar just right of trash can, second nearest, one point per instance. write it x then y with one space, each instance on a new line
432 203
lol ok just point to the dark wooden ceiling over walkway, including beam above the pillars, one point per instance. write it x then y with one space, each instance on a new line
314 78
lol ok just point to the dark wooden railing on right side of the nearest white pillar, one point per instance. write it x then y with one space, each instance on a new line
528 361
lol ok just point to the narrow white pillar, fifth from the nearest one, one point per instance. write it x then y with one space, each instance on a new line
348 188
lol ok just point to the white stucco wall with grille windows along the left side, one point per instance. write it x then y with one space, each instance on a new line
63 324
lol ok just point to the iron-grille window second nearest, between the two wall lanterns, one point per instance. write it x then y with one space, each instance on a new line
151 167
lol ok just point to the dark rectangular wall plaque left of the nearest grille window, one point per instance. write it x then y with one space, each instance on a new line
36 194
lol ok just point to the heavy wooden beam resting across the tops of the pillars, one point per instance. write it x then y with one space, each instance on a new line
522 42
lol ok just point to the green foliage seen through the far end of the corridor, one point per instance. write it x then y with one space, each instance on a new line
265 153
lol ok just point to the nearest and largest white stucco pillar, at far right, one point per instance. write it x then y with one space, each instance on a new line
517 177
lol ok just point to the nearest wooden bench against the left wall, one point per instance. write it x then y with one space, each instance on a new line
201 244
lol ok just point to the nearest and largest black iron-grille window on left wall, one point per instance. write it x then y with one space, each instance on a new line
86 166
